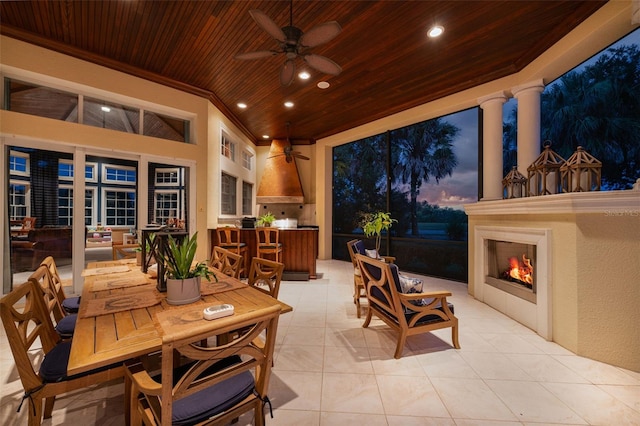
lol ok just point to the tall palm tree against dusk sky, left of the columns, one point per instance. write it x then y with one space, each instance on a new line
424 150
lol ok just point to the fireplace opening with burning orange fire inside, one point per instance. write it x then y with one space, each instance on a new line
510 268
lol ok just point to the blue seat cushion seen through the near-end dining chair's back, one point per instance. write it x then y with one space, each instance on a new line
212 400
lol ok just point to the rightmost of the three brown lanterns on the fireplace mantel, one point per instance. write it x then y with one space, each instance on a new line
582 172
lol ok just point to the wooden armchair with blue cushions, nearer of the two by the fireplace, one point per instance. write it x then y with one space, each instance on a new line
408 314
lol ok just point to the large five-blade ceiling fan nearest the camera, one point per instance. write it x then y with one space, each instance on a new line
293 43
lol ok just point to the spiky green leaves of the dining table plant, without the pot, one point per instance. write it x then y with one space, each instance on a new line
179 260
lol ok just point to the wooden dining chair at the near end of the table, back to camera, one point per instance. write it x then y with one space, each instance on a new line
216 384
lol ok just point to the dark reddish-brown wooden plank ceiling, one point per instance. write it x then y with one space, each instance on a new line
389 65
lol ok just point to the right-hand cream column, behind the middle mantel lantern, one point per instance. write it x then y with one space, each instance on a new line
528 96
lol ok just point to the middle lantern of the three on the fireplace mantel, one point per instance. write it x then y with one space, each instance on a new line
544 173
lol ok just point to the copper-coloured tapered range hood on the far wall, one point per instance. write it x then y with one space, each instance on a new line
280 181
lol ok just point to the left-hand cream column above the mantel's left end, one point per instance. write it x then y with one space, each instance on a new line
492 145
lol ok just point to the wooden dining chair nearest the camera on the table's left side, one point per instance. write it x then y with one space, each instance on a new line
30 334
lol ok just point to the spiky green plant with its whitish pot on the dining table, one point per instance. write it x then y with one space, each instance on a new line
182 274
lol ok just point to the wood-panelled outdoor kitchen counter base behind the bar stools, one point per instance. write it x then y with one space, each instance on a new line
299 249
